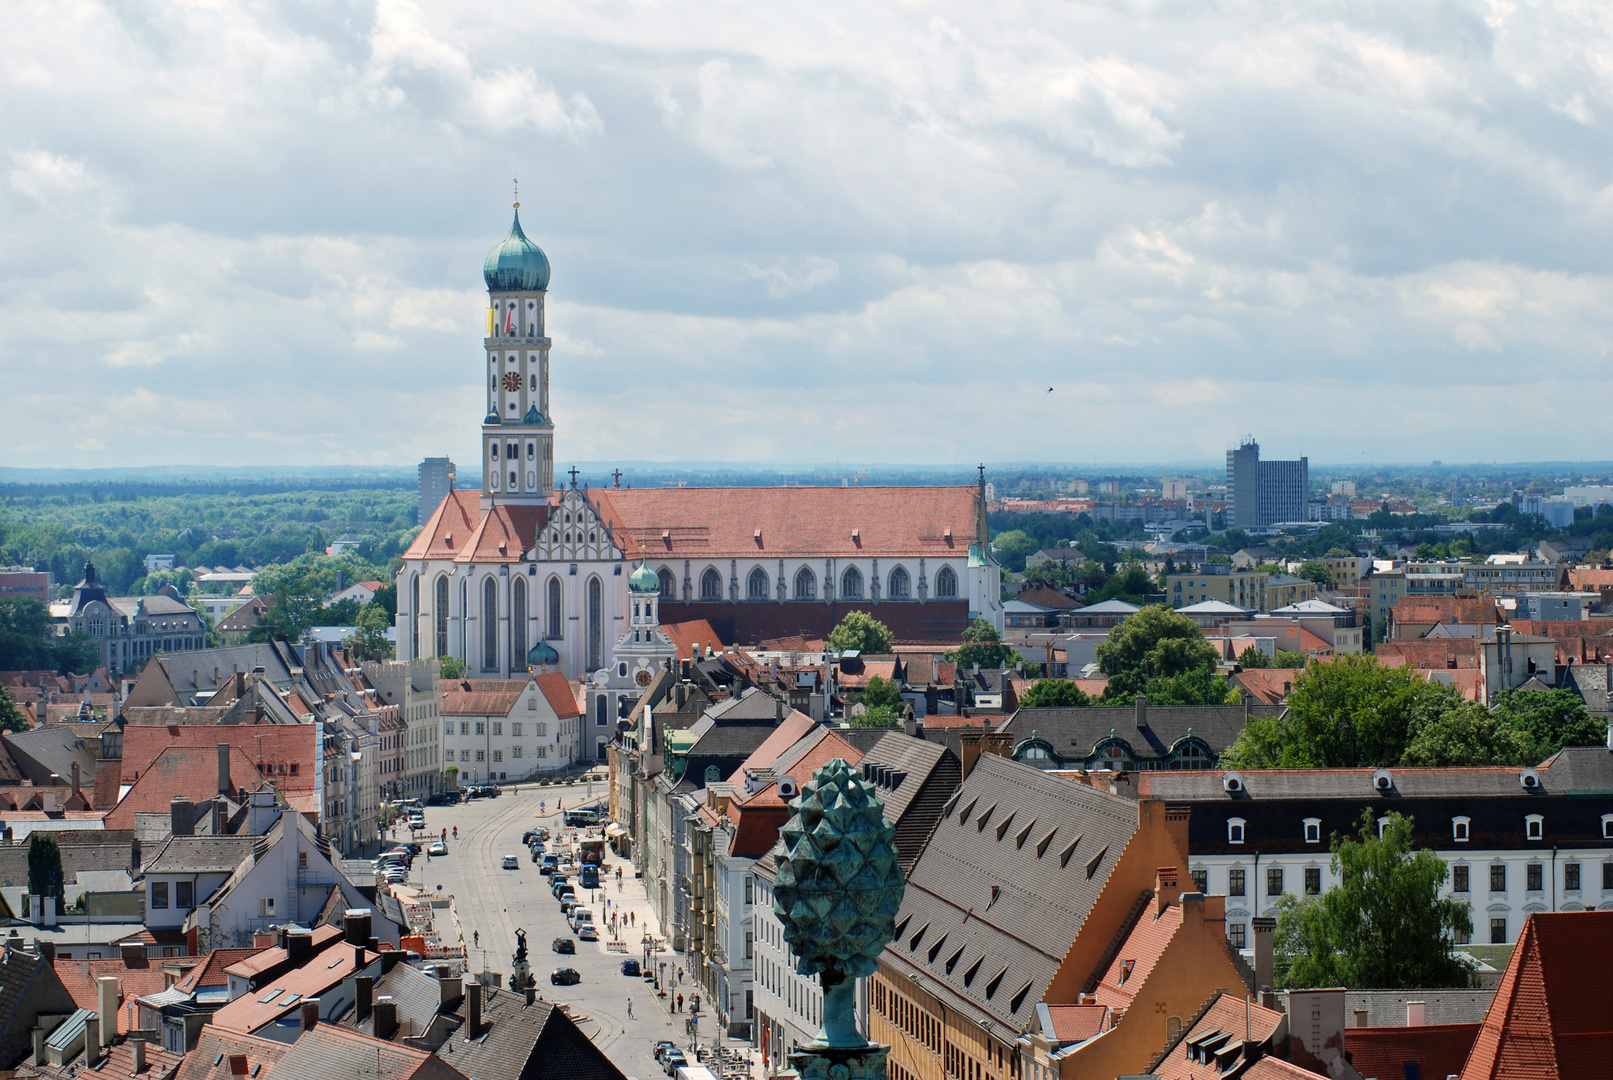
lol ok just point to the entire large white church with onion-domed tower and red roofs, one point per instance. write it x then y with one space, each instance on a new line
522 575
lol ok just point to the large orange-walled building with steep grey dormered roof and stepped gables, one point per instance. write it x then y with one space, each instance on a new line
1017 902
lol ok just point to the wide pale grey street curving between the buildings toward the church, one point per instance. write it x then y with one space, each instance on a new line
493 903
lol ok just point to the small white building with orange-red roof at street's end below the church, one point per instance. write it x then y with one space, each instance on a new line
509 729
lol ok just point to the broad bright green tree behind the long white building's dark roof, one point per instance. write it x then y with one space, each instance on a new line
1348 713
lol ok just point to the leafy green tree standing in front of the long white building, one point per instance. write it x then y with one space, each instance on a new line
1385 926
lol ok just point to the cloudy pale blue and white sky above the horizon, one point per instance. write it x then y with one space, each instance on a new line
794 233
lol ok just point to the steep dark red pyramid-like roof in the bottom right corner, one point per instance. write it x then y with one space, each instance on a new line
1553 1016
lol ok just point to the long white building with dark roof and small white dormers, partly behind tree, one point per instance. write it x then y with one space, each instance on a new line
1517 841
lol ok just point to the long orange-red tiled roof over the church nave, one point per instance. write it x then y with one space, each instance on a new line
791 521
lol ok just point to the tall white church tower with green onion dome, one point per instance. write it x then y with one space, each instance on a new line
519 438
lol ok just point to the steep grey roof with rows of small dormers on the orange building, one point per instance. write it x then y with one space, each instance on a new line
1046 887
